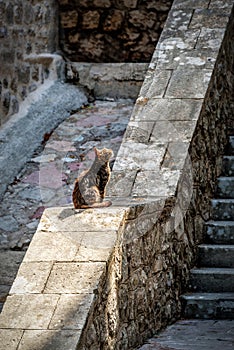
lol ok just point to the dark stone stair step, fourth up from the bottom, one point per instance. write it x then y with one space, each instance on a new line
219 232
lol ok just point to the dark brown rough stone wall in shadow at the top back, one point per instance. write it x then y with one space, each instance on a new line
111 31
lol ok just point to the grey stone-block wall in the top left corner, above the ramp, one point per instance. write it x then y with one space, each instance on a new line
26 27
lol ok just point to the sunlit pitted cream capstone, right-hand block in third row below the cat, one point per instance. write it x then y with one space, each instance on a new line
70 278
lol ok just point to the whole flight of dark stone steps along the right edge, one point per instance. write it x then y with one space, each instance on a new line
212 281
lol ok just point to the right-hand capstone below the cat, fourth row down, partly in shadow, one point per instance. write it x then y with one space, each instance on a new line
71 312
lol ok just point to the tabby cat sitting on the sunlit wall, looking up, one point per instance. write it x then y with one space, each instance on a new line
90 186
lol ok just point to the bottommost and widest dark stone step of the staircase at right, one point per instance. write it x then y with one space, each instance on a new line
208 305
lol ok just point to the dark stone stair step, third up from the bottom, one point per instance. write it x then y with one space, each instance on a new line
213 255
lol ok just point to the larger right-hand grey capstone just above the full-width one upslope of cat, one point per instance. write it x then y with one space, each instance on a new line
188 83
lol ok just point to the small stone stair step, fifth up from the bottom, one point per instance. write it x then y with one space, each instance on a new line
222 209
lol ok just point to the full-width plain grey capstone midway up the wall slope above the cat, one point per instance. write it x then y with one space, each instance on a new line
168 109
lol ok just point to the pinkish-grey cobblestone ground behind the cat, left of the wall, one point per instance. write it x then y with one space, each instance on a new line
47 179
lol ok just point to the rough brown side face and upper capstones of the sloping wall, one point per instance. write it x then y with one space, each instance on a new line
183 115
